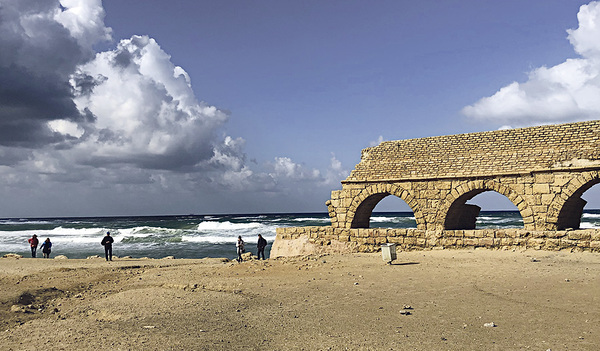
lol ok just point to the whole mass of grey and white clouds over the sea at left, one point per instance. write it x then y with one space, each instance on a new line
124 120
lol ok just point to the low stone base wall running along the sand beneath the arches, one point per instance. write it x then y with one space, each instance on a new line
315 240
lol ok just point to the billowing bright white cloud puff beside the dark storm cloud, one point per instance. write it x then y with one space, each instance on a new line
145 110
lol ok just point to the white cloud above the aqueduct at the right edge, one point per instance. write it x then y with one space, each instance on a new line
562 93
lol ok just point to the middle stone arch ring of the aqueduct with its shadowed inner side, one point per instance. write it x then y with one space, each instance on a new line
454 213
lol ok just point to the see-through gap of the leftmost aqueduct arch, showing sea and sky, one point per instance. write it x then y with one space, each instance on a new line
392 212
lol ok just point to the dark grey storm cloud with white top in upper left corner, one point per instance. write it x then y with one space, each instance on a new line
40 47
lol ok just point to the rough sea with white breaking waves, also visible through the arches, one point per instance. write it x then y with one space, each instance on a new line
197 236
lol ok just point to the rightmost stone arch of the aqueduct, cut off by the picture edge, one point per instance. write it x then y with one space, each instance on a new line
566 210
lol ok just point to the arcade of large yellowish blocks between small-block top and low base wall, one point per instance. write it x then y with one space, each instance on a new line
539 197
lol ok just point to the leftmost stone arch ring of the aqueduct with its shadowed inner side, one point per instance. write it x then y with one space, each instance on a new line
361 208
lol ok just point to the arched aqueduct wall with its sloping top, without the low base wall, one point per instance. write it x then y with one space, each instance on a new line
542 170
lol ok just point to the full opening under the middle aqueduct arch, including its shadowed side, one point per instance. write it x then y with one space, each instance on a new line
498 211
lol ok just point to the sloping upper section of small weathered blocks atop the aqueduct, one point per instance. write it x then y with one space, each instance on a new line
512 151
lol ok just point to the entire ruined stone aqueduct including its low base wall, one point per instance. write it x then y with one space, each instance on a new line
542 170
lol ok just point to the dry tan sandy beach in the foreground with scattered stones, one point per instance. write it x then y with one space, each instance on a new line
428 300
